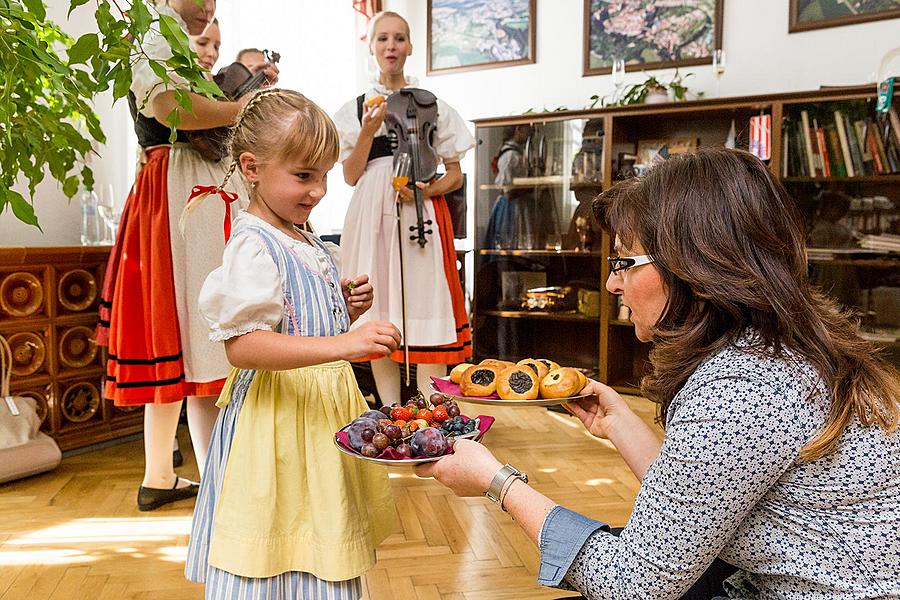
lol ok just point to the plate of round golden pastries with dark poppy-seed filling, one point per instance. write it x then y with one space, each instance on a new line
529 382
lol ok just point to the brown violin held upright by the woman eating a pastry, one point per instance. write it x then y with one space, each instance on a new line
411 121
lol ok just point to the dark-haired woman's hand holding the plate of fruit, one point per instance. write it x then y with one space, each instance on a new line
467 472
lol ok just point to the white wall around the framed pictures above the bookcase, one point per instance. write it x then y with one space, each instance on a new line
761 58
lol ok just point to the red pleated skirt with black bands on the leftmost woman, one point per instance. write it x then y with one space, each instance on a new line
138 315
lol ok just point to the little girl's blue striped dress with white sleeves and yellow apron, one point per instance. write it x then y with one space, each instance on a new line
281 513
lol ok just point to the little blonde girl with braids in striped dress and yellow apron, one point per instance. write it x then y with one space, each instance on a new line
281 514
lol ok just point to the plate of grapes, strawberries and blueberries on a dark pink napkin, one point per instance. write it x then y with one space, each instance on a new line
420 431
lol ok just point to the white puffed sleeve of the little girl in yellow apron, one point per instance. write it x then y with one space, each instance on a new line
245 293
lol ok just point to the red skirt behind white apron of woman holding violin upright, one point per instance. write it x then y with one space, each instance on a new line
460 350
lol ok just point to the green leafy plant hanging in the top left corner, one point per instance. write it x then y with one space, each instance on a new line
47 122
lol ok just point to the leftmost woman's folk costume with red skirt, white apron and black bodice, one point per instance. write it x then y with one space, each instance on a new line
159 350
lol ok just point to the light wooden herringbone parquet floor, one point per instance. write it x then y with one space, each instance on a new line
75 533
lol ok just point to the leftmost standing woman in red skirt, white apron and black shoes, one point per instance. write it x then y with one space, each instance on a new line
158 350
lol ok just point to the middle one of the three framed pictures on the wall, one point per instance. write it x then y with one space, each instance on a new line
648 34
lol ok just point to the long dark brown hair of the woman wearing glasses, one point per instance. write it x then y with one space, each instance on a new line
728 243
